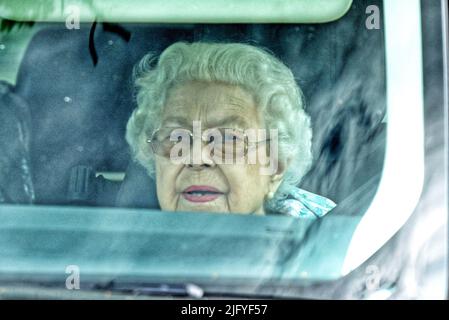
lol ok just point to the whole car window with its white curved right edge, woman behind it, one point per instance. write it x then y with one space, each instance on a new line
105 121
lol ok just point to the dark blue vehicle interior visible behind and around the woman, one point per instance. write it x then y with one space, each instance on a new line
63 122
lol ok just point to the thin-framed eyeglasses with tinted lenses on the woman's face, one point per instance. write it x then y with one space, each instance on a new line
223 143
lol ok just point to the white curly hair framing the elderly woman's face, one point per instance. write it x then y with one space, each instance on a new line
277 95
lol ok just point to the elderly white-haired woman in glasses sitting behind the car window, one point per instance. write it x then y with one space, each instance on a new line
201 109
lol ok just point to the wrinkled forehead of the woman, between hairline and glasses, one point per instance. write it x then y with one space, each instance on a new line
214 104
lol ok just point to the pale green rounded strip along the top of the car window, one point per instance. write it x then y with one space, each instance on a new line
178 11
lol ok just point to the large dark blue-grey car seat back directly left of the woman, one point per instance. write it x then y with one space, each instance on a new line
77 106
